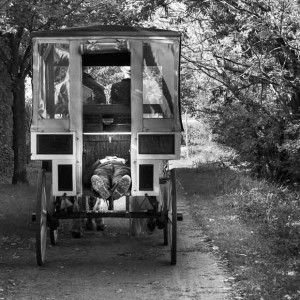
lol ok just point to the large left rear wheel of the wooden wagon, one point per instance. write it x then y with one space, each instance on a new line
41 218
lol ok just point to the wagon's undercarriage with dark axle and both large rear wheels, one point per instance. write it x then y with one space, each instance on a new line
163 217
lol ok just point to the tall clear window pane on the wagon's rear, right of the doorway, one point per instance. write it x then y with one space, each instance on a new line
158 80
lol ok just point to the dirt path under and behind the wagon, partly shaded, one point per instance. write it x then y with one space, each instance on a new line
114 265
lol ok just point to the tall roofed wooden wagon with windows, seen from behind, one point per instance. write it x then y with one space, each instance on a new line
78 119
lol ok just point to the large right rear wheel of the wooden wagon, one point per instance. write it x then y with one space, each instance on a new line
170 211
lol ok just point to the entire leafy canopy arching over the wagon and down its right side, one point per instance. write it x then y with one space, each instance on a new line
240 66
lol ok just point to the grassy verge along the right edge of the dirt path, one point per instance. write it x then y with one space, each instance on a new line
252 225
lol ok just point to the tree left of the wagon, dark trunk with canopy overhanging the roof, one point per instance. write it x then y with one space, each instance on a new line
18 19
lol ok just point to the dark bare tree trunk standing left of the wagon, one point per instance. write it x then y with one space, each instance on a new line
19 132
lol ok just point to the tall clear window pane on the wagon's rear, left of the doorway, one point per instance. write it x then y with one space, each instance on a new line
55 92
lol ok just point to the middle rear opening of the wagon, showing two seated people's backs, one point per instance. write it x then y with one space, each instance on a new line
109 88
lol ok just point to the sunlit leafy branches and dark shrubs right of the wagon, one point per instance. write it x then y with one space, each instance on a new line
249 52
